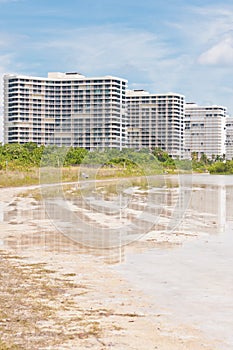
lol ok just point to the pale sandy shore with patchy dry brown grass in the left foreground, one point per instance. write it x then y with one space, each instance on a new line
55 294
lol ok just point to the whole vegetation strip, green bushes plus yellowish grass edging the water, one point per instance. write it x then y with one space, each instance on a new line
21 164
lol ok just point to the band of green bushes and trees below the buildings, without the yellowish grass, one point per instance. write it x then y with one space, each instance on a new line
30 155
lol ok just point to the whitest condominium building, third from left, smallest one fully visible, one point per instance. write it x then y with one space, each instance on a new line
204 130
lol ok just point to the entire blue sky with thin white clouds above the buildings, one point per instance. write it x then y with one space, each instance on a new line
183 46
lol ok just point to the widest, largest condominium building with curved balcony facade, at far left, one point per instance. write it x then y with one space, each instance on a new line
65 109
